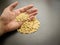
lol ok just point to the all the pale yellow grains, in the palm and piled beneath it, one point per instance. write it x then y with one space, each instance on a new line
28 26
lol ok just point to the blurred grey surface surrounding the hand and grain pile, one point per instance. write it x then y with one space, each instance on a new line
49 17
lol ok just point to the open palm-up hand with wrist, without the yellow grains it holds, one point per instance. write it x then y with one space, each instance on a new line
7 18
